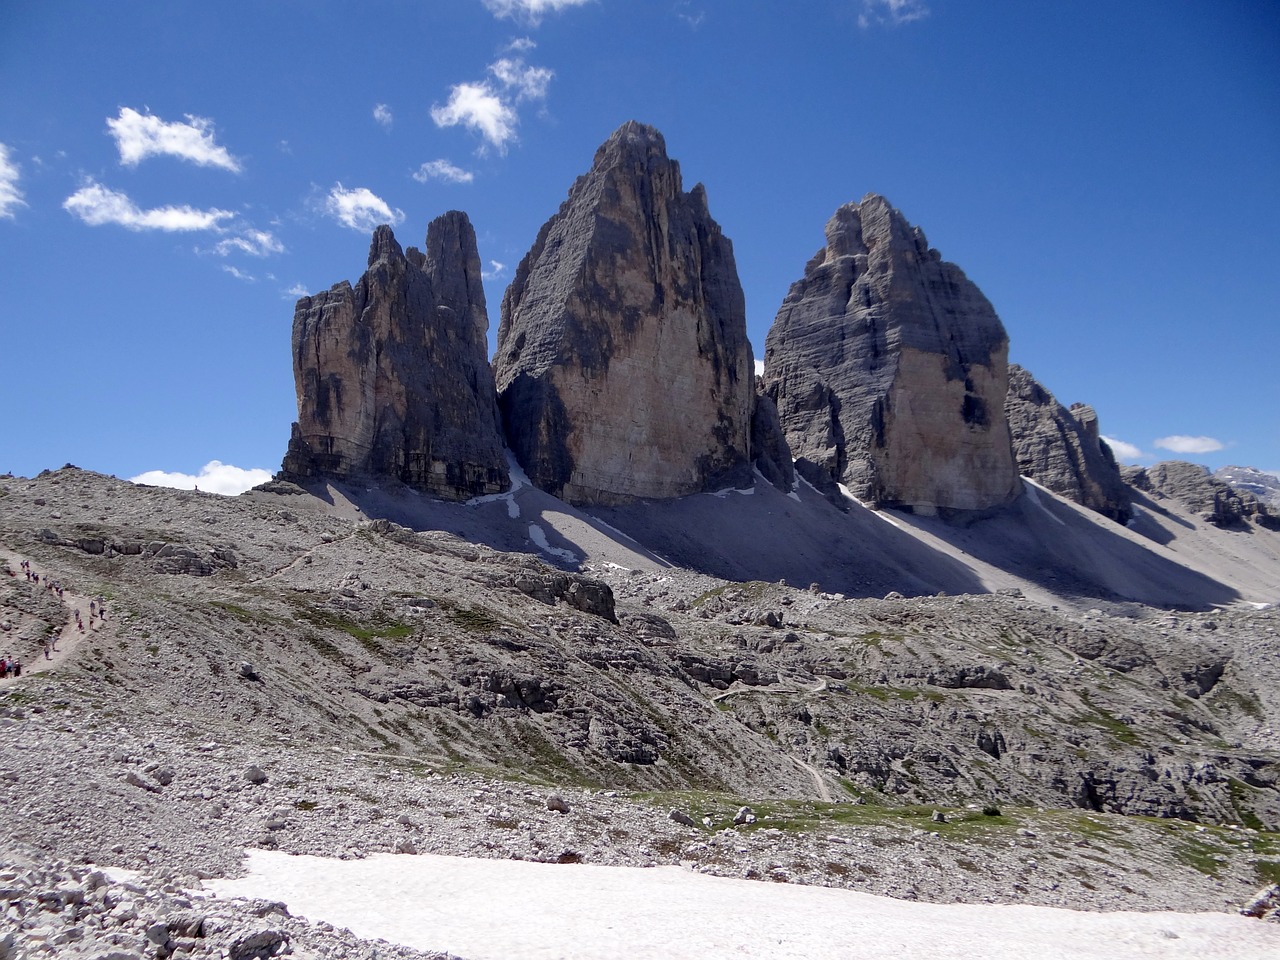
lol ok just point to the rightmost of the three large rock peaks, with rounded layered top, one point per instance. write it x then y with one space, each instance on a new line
890 369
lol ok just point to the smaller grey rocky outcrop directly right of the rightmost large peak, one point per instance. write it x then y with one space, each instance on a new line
1062 450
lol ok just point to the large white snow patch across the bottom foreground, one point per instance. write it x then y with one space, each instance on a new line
519 911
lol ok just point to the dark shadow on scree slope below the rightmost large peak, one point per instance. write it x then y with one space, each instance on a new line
1076 554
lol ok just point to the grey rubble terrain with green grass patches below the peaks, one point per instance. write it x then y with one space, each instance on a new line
278 671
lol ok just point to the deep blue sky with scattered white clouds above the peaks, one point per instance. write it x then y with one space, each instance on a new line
175 175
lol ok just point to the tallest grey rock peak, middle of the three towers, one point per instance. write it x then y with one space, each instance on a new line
624 371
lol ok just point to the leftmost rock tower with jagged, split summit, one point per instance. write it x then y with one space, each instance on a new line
392 374
